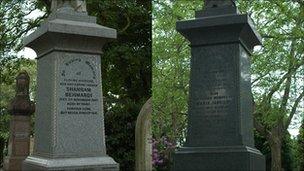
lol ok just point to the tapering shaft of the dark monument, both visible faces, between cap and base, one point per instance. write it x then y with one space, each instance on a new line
215 94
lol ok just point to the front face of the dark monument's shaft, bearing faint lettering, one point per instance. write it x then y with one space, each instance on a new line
213 97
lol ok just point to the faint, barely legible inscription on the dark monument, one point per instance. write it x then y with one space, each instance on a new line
215 81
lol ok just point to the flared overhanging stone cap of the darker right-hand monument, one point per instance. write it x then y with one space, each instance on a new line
242 21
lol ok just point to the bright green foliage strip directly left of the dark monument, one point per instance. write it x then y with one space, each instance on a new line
170 78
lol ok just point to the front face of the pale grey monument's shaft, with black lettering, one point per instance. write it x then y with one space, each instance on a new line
79 116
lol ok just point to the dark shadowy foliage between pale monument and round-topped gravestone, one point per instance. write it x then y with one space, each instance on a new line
126 72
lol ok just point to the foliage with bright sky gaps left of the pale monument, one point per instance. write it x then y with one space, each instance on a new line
13 26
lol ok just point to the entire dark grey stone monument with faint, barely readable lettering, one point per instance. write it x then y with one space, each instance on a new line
220 125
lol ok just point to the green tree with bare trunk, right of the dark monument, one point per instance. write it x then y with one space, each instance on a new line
277 69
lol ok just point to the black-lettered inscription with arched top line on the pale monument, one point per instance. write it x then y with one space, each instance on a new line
78 87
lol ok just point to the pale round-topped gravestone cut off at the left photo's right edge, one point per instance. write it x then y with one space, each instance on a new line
143 137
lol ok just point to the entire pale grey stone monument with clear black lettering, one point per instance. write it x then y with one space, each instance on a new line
69 125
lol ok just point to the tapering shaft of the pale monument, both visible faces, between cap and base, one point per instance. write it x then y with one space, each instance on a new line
75 103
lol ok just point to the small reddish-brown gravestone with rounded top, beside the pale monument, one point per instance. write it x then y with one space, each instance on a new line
20 124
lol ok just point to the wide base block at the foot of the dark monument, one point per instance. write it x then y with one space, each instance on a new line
240 158
